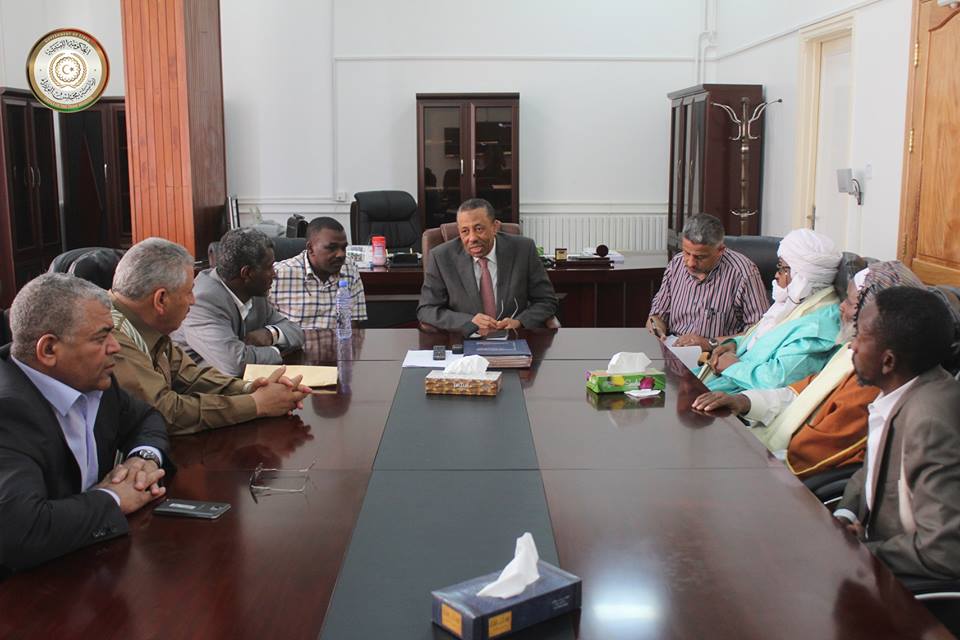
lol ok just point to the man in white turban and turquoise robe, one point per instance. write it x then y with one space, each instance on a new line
795 337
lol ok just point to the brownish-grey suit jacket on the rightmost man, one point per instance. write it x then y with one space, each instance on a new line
922 433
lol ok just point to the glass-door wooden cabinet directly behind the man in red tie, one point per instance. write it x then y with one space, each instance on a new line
467 147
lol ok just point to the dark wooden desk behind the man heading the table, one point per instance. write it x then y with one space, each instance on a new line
617 297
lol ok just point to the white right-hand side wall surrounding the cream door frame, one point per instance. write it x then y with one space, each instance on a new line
760 43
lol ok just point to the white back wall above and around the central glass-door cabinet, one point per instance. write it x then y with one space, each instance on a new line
334 105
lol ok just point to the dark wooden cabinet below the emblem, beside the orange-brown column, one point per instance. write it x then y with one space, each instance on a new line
96 181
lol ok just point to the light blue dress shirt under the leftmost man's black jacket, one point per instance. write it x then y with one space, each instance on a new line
80 437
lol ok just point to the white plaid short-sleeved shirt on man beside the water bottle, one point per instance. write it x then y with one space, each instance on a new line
300 295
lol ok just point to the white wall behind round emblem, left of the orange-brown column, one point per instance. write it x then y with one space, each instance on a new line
22 23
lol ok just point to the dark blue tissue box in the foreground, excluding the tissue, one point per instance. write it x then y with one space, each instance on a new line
460 611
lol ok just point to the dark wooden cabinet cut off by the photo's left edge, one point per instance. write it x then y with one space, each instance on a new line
29 202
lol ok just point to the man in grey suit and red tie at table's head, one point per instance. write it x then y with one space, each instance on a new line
484 280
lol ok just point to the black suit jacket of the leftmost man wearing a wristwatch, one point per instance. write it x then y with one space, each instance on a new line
44 512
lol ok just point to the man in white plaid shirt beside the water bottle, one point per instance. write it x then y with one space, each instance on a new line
305 286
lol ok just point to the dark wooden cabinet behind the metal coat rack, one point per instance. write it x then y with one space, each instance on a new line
705 171
